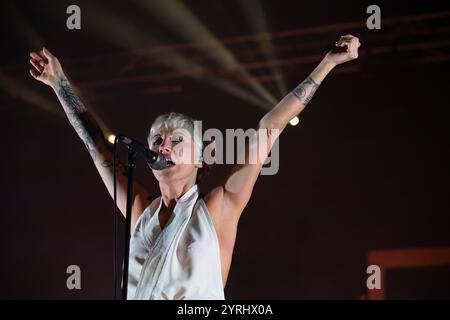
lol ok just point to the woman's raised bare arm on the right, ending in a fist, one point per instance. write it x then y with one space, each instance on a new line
238 187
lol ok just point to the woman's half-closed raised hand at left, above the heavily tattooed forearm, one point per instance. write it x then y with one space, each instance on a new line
47 68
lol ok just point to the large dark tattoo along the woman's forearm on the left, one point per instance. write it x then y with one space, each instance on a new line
81 120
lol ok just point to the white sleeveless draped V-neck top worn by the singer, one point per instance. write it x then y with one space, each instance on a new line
181 261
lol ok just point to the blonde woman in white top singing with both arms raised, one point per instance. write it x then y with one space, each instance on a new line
182 244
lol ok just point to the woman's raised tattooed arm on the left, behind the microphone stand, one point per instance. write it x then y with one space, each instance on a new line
48 70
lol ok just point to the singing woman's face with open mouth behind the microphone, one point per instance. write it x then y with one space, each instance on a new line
178 146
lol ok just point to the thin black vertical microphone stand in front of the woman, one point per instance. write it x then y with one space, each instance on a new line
131 165
